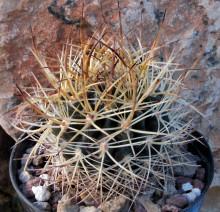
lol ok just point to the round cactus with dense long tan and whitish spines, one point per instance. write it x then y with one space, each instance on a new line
112 117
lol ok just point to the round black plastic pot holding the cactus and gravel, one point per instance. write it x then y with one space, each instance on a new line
201 149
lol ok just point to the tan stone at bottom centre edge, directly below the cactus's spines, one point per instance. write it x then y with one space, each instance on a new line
117 204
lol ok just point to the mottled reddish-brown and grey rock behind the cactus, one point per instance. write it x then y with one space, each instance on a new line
193 22
